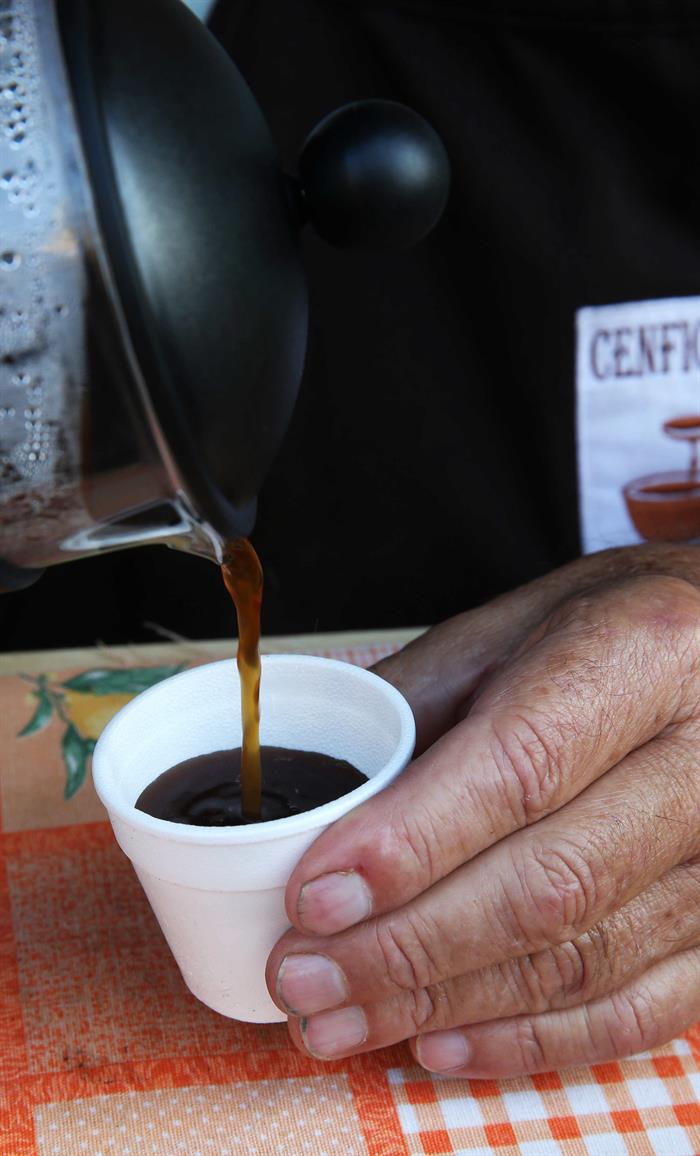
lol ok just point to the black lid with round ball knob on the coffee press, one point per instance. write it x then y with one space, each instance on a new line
202 228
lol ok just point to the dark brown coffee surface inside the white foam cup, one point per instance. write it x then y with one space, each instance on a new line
206 791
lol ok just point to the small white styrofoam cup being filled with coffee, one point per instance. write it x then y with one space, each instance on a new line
219 893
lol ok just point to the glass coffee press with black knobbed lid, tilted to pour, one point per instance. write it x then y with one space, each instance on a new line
153 305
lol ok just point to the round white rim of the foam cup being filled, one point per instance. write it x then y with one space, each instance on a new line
277 828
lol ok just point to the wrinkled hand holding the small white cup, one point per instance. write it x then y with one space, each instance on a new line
527 895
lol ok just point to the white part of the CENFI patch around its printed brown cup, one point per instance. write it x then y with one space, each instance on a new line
638 366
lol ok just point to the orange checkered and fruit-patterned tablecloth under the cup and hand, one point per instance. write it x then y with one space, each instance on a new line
103 1051
